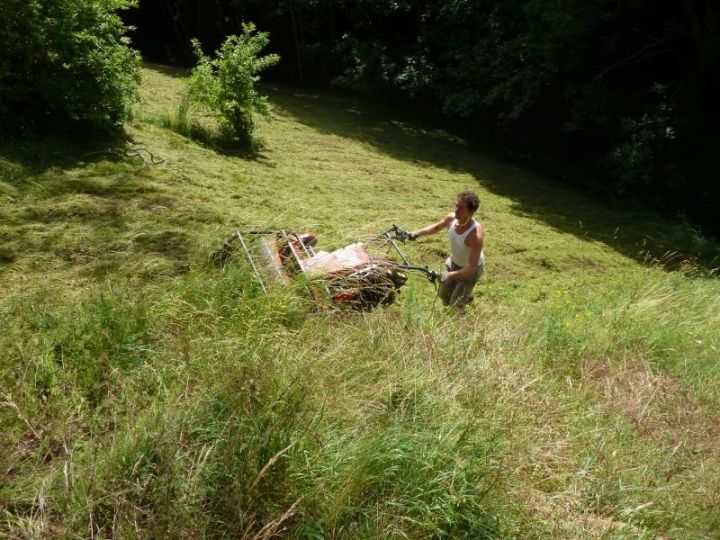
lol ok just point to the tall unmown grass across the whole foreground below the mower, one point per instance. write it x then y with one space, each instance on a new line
205 406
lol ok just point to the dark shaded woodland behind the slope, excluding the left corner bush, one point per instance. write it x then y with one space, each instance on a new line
628 87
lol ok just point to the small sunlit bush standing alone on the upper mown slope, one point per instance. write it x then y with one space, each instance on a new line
226 85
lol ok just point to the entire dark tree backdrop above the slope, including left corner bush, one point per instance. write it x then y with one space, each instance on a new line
625 92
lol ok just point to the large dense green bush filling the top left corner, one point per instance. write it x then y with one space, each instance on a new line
67 62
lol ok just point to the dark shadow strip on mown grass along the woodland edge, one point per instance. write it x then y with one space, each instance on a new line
633 229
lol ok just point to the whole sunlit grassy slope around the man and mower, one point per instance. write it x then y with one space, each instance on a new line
146 391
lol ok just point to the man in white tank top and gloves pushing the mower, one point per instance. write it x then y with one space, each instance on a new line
466 262
